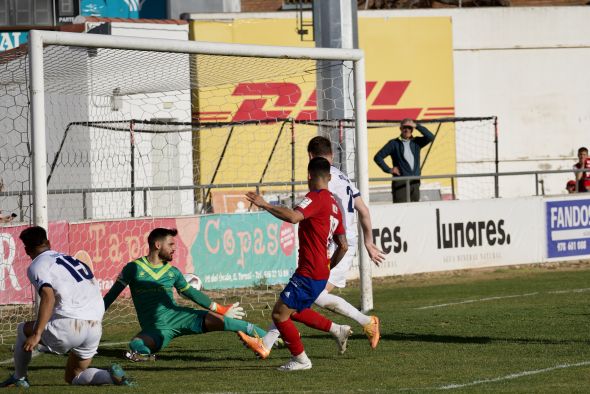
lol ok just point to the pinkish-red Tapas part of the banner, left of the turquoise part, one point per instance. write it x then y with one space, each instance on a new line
104 246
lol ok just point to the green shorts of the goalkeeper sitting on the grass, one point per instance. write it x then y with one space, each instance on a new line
184 322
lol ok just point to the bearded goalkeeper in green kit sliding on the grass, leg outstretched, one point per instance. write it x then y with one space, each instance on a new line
151 279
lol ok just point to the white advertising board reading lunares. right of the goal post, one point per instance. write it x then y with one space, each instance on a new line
450 235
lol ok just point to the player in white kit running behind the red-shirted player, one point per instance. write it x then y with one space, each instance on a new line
350 201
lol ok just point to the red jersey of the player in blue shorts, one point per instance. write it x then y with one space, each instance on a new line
323 219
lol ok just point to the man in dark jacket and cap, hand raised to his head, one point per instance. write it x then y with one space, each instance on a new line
405 156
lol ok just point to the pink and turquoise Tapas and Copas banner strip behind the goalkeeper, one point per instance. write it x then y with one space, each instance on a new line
224 250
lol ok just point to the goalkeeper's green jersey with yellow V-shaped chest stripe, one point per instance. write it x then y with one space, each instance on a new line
152 294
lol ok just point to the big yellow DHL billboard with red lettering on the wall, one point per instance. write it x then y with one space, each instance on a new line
409 73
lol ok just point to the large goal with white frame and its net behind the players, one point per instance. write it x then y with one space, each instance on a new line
136 134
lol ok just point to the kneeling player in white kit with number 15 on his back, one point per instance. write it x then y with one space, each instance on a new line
69 319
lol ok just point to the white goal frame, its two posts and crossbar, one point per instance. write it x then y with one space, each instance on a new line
38 40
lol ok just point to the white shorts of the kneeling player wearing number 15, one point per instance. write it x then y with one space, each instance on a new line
64 334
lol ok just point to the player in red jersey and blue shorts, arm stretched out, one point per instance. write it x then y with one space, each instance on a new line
319 221
